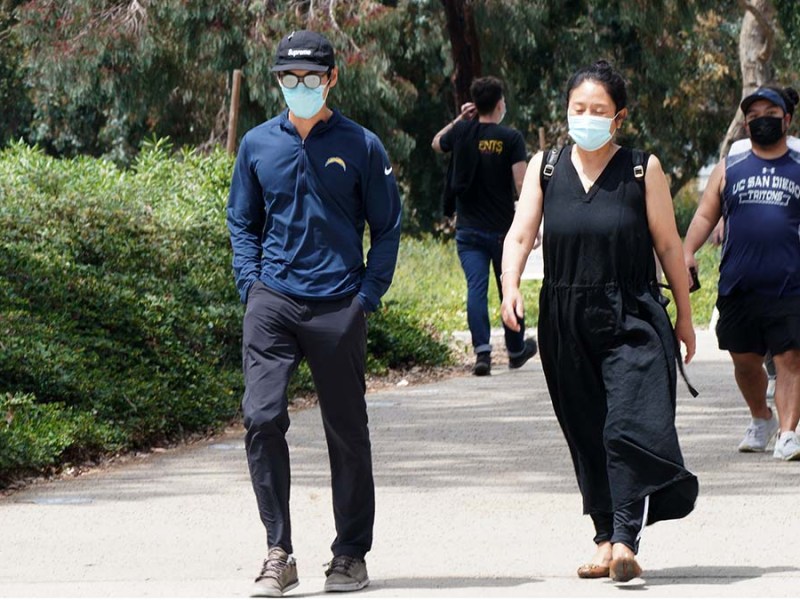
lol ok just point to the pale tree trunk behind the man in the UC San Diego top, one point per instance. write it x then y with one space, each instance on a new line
756 43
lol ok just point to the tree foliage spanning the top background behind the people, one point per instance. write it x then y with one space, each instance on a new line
101 76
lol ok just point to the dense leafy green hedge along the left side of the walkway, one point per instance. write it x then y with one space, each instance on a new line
120 325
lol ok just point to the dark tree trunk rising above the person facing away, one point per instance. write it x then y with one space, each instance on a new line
465 48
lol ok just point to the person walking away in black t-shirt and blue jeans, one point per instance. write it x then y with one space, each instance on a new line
494 158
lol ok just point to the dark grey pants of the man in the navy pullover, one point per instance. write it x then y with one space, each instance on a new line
278 332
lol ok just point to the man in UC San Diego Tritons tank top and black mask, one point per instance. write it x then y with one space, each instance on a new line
757 192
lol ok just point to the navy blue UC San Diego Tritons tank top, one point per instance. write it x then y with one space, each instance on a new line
761 205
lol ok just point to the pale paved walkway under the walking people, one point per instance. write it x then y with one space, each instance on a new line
475 494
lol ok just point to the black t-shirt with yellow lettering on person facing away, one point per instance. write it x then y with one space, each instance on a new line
489 201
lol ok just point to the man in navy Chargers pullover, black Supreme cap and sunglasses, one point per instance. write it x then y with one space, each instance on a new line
305 184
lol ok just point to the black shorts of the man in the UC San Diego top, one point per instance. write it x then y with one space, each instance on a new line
753 323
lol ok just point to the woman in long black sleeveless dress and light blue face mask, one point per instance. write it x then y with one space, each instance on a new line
608 349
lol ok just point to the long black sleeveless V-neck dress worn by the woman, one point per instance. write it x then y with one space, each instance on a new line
606 343
